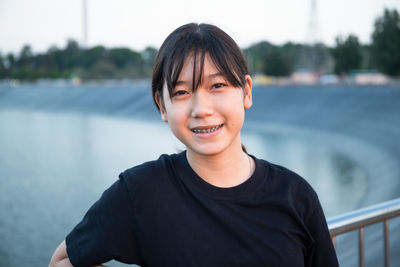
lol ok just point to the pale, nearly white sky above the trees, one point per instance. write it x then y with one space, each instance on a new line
138 24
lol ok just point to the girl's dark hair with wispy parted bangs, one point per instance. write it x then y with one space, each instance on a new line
197 40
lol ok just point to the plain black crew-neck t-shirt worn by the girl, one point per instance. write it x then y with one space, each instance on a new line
161 213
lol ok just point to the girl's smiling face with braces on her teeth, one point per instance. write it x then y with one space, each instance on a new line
207 121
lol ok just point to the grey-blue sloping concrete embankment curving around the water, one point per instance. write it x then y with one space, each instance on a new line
362 122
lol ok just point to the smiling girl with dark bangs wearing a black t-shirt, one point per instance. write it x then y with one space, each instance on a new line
212 204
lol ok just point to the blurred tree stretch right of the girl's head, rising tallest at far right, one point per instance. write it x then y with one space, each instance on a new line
348 54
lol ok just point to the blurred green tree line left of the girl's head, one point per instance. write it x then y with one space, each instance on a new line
93 63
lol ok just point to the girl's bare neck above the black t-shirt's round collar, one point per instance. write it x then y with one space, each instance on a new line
226 169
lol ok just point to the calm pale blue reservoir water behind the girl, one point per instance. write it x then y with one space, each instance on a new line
54 165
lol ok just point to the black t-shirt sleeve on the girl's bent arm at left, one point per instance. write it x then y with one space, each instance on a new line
106 232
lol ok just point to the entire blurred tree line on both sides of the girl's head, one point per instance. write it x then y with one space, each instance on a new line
98 62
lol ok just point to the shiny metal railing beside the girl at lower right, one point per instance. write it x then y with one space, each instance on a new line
358 219
